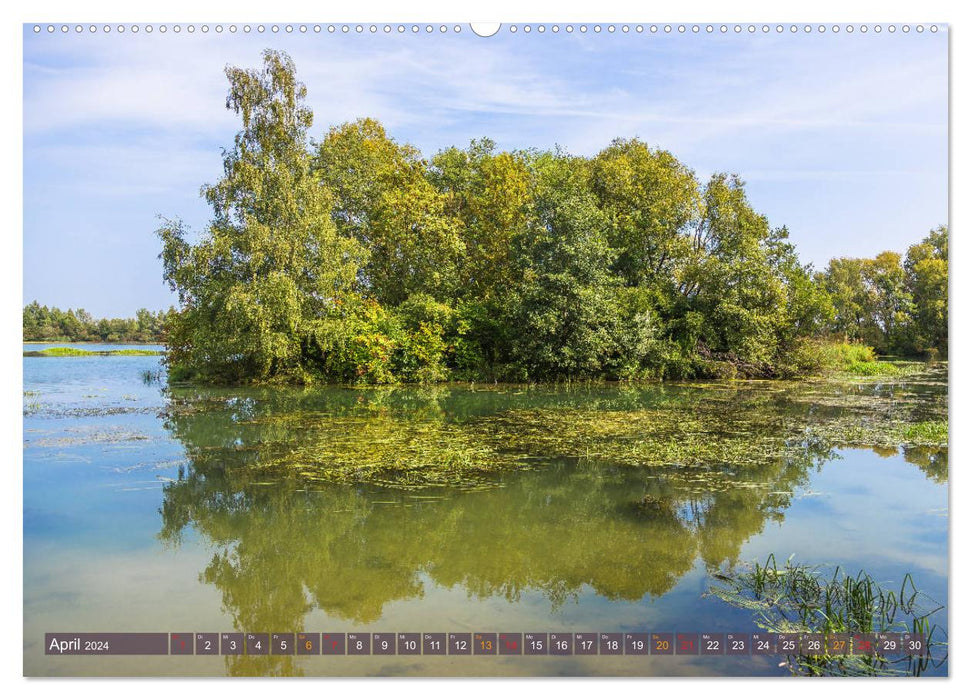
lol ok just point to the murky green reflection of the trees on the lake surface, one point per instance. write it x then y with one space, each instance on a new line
286 545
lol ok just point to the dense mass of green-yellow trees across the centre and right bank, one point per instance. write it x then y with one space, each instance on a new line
356 259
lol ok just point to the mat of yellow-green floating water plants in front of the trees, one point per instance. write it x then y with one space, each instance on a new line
416 438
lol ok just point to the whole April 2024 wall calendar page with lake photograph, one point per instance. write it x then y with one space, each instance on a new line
514 349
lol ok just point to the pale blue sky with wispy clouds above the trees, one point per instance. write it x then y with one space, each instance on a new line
843 138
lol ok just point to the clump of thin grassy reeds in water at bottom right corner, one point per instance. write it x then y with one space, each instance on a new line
804 599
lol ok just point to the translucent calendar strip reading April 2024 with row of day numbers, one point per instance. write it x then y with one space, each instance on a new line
481 644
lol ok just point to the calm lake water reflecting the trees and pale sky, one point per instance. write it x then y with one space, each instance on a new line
153 511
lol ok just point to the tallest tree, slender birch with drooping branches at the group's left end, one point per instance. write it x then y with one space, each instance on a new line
271 264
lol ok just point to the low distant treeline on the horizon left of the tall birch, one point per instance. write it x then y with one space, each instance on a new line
50 324
